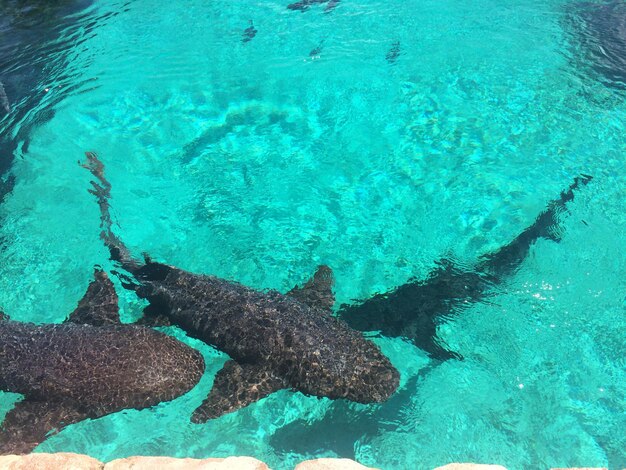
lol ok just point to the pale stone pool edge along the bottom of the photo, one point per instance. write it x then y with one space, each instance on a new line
72 461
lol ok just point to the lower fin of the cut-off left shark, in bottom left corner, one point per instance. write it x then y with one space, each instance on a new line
29 423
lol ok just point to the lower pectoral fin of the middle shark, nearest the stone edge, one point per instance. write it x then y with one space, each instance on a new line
236 386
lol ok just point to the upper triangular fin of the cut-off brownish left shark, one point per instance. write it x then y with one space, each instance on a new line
98 306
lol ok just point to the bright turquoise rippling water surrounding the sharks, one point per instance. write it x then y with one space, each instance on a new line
257 161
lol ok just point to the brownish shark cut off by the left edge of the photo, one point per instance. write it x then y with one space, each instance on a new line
88 367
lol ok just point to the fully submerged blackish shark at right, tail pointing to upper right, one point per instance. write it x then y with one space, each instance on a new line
414 309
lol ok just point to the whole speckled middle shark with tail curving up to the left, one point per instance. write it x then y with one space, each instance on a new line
275 341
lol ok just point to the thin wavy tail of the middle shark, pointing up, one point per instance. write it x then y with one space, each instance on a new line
101 188
